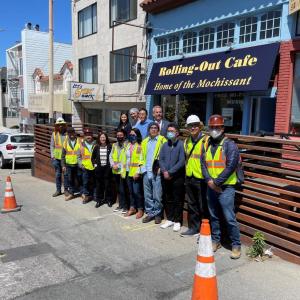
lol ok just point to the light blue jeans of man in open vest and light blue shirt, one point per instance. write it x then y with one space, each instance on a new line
153 195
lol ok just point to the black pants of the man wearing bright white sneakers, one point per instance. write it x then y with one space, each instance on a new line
173 191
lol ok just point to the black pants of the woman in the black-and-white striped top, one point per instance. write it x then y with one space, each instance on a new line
104 184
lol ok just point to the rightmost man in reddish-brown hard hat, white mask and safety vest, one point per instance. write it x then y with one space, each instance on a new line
220 161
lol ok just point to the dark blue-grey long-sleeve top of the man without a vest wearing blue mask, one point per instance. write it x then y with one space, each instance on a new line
172 158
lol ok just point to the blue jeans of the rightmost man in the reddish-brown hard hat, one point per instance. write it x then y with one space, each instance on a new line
223 202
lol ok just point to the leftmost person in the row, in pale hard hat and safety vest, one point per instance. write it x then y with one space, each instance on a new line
56 144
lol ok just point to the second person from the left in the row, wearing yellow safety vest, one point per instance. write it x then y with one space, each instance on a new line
69 161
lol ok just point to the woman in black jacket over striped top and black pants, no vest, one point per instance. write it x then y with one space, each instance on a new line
103 174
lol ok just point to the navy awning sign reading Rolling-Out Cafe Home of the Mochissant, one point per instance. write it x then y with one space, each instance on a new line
247 69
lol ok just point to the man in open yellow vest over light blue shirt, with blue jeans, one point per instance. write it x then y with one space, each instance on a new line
151 174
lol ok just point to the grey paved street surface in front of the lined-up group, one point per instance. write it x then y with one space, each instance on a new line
54 249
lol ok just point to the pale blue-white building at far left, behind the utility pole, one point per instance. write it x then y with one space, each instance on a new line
22 59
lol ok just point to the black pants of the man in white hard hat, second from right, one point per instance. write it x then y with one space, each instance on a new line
197 202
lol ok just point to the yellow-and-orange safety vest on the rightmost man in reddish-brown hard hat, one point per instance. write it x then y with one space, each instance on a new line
216 164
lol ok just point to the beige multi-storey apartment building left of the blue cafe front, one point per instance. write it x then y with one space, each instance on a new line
109 57
